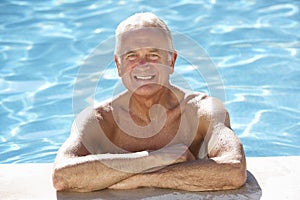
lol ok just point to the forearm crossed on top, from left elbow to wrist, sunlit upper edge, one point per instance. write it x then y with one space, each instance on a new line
95 172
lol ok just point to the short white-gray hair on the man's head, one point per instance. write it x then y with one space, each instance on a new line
138 21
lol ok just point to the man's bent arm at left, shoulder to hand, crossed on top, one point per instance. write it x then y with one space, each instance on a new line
75 169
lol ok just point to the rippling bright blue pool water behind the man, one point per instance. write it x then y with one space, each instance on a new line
255 46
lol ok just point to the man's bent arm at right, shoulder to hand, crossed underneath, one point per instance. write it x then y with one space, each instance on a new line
225 167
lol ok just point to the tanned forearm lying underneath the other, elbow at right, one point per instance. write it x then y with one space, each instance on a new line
198 175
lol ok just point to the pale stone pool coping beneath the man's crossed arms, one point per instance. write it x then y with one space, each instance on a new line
268 178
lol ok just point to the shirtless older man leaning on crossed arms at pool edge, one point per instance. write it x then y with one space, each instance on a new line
154 134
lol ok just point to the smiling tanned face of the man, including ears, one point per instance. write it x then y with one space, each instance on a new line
145 61
